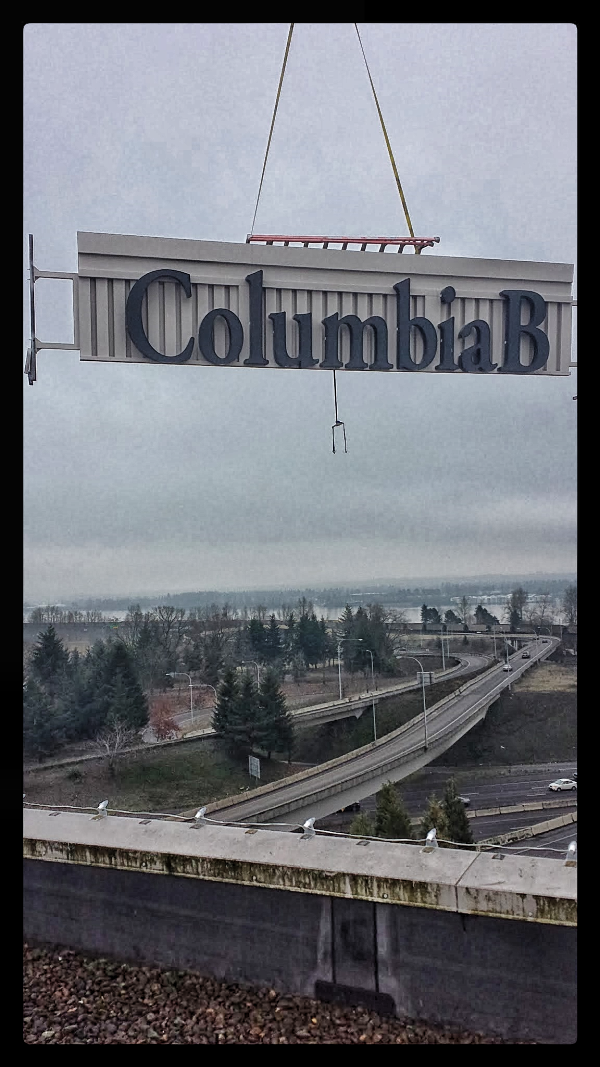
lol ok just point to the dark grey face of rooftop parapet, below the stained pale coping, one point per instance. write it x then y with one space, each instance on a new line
496 976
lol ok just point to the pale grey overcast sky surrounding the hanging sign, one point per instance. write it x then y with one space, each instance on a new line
154 480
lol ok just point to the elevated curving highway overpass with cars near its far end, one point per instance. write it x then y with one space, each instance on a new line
323 790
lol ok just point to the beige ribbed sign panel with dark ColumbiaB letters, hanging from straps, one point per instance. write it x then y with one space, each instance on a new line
203 304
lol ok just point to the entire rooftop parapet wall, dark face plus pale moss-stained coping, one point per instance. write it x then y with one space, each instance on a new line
468 939
